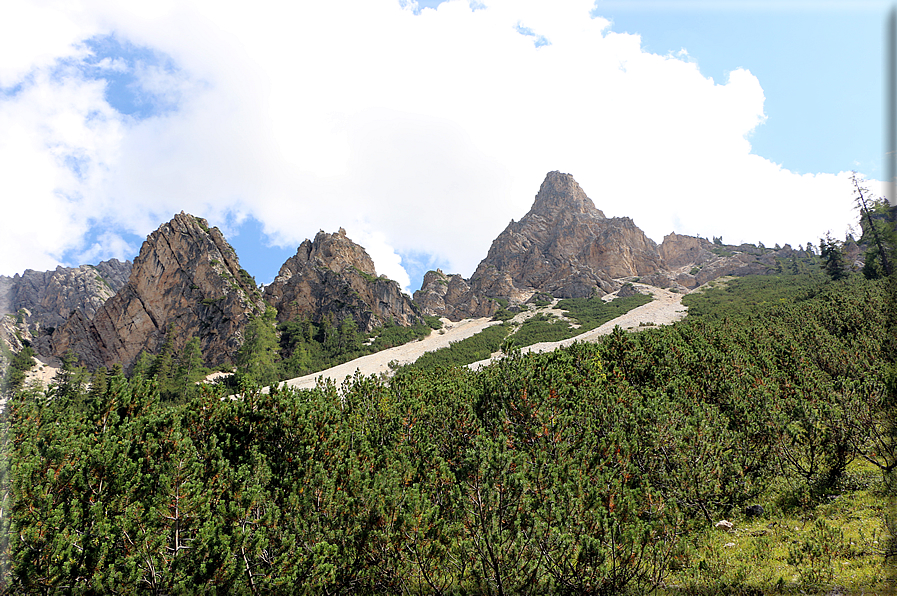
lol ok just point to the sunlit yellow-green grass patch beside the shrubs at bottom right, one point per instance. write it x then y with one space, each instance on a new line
808 549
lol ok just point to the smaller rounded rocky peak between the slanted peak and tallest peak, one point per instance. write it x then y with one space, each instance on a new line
332 278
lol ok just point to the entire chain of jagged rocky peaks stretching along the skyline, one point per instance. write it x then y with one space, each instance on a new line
187 281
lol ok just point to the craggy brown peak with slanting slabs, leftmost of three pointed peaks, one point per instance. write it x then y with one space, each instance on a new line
186 278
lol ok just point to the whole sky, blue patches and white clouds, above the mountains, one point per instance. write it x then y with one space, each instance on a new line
423 128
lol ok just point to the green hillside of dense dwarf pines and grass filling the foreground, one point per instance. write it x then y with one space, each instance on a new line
597 468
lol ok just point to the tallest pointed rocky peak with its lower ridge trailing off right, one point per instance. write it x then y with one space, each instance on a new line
567 248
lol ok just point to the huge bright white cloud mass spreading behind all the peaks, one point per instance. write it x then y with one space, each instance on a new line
422 133
